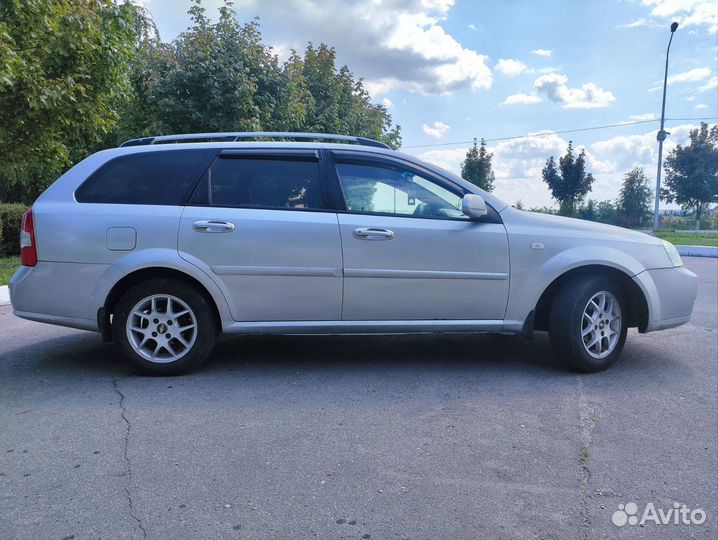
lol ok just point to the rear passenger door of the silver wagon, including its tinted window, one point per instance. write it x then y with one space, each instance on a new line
261 223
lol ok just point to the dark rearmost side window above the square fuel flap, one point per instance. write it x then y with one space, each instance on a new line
163 178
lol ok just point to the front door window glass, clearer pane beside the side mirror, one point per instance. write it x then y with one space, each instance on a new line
381 189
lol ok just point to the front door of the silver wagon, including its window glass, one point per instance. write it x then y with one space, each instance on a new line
409 251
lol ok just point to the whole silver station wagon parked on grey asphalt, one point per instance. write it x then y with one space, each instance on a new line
165 242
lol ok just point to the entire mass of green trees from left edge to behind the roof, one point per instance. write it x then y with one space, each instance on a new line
77 76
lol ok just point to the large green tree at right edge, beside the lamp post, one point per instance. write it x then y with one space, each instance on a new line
692 172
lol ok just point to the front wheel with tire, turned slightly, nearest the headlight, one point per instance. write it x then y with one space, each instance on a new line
586 337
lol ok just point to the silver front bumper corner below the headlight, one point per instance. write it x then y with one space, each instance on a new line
670 295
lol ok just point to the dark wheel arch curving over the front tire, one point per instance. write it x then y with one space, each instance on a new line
638 312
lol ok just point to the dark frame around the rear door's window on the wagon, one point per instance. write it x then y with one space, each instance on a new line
268 154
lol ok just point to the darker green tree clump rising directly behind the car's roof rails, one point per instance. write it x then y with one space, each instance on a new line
222 77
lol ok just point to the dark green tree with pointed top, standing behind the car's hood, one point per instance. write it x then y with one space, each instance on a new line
569 183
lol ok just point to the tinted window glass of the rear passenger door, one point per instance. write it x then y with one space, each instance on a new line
265 183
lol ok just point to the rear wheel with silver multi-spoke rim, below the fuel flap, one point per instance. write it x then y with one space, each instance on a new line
162 341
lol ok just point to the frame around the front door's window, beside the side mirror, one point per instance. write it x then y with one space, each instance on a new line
380 160
